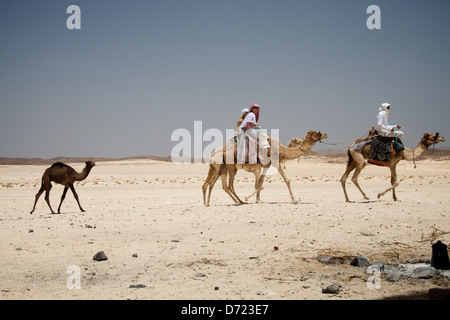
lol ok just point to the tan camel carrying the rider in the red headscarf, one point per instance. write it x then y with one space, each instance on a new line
220 168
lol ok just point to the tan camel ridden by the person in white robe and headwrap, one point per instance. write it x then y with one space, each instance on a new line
357 160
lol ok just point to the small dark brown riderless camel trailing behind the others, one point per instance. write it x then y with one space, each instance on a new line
62 174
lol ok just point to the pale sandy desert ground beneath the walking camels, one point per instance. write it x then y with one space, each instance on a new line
149 219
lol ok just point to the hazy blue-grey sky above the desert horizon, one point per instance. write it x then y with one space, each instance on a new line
138 70
